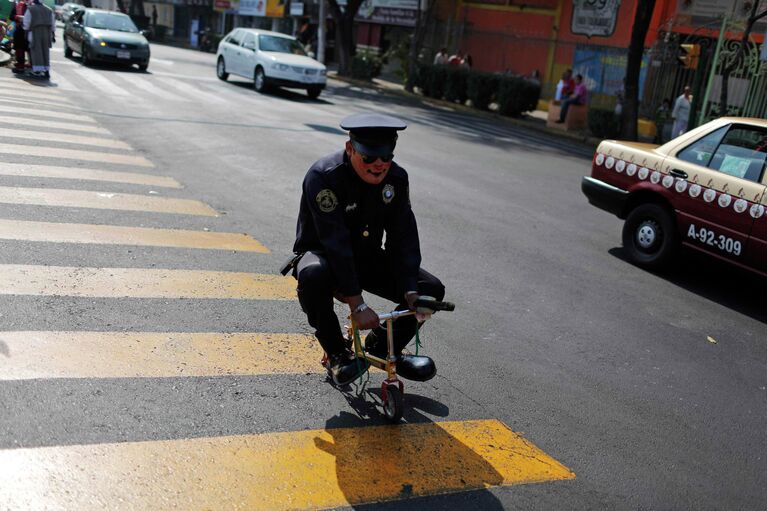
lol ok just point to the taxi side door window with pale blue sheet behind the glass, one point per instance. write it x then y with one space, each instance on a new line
742 153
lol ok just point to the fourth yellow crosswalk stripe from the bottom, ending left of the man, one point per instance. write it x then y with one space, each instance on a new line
54 232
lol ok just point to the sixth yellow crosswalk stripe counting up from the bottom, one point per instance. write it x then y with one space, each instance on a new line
29 170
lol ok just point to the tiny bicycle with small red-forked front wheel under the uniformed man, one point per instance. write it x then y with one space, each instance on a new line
392 388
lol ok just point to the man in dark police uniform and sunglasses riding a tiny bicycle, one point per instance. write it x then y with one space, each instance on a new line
350 199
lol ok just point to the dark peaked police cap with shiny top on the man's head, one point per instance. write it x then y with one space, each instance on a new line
373 134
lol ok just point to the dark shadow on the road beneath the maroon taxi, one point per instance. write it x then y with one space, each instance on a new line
715 280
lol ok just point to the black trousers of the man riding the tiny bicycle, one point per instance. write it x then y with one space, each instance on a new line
316 287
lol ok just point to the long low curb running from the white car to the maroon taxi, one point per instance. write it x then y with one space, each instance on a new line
588 141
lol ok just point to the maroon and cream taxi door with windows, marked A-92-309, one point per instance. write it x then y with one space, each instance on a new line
717 180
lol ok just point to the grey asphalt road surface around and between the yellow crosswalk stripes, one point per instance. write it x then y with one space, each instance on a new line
605 367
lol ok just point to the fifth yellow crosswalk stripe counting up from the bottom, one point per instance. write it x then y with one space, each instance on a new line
101 200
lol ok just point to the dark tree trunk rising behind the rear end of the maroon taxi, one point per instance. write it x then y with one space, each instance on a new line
630 113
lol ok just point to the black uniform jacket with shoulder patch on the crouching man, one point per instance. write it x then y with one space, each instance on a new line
345 218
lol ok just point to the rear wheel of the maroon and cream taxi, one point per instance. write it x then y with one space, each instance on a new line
649 236
